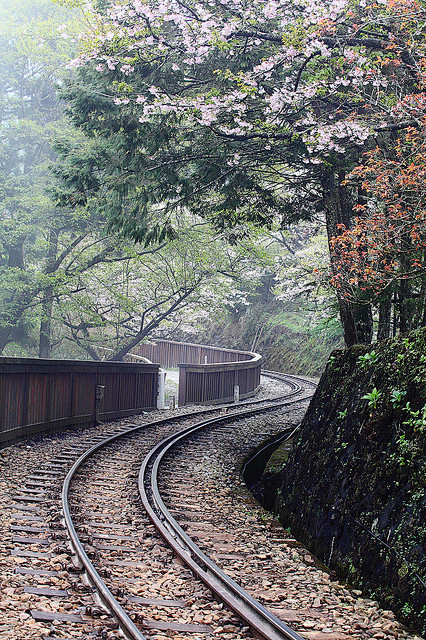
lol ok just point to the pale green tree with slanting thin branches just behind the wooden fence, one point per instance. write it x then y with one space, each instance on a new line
131 292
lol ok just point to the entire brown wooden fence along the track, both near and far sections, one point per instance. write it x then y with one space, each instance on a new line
38 395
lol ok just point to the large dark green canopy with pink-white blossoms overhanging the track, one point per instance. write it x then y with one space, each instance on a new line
240 111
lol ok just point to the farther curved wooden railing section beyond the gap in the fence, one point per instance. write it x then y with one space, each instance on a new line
207 375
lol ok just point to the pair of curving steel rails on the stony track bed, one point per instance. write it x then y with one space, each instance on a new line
246 607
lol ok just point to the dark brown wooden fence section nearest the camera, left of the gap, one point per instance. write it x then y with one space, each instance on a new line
40 395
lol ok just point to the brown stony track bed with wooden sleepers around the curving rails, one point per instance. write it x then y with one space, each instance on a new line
48 596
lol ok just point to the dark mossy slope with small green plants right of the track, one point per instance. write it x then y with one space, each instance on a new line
353 488
